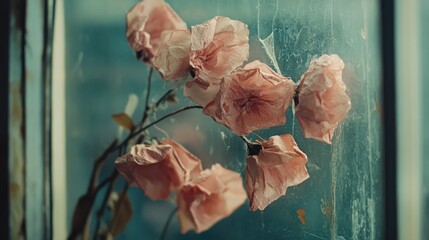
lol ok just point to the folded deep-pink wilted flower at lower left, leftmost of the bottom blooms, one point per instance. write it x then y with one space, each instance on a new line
158 168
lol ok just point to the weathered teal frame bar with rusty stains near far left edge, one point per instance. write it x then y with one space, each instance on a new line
16 118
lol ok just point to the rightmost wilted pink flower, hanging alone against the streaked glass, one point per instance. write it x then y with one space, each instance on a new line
322 101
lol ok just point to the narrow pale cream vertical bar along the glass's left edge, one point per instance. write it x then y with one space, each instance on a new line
58 170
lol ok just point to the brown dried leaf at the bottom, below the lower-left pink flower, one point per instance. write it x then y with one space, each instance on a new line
121 216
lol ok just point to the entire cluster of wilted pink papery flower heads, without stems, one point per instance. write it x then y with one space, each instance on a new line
242 98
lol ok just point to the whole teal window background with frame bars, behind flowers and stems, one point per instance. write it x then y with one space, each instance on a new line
68 67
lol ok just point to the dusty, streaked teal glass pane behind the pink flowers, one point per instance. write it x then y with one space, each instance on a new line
342 198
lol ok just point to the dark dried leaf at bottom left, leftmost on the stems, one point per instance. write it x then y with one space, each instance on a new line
81 212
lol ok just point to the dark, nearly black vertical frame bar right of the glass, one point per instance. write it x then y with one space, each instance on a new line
387 13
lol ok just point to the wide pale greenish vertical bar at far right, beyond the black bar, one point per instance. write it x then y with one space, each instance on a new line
409 107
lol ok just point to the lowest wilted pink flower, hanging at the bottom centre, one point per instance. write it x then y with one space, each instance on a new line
209 198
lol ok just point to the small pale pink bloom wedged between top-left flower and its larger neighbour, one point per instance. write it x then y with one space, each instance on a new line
172 59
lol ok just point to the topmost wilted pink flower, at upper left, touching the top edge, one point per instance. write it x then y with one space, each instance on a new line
146 22
